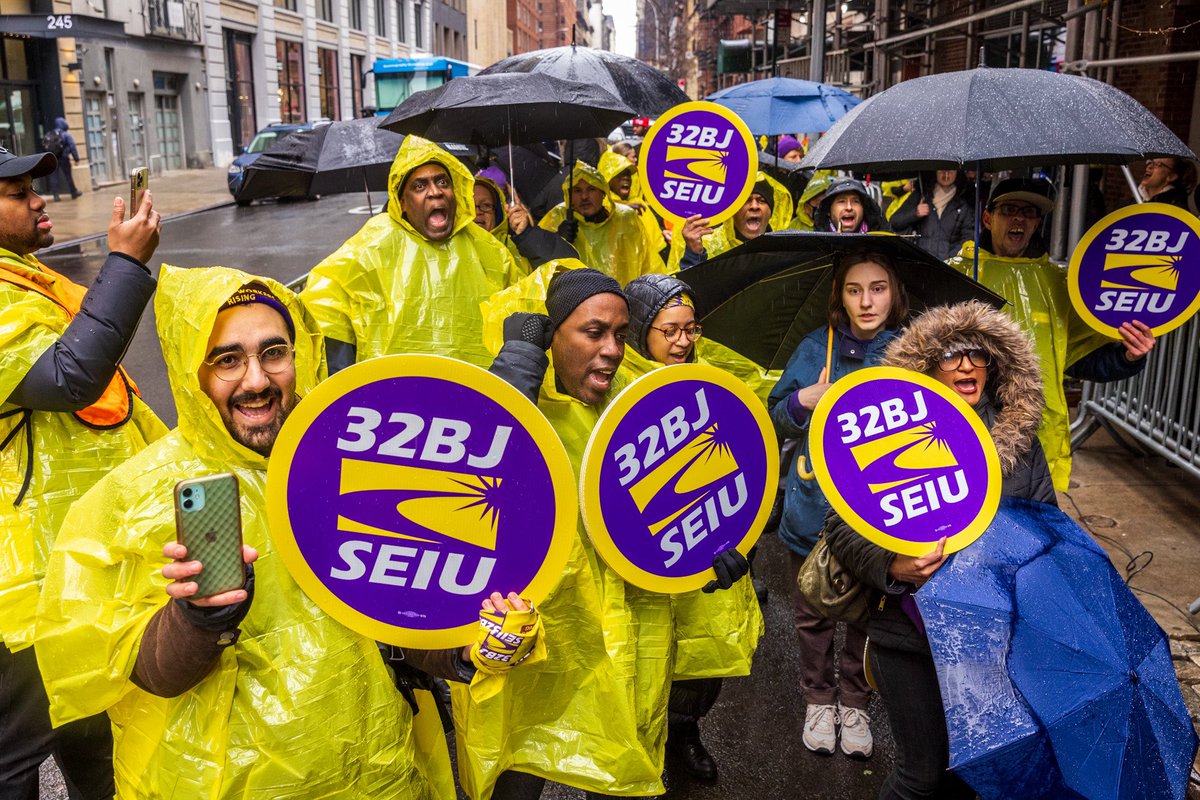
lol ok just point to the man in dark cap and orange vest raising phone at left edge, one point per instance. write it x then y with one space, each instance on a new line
69 414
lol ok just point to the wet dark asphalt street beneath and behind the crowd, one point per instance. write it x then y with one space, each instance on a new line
755 730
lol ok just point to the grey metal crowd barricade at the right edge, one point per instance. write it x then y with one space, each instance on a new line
1160 408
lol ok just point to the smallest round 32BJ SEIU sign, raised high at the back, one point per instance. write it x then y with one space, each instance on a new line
699 159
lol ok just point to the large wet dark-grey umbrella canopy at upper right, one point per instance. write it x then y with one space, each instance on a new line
999 119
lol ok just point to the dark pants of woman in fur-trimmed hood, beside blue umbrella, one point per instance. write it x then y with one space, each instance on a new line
909 688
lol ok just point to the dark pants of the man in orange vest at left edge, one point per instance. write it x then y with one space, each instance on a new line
83 750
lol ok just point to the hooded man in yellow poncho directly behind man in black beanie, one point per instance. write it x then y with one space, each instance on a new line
609 237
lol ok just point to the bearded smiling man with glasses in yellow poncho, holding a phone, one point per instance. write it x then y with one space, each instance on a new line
250 695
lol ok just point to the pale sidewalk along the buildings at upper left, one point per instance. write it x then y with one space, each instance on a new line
175 193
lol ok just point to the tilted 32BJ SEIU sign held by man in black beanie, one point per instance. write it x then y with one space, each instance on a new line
682 466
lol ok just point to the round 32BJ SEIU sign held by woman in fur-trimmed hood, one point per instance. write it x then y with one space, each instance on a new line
905 461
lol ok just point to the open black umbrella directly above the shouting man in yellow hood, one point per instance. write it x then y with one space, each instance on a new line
496 110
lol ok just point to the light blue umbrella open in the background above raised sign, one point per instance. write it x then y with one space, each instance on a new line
777 106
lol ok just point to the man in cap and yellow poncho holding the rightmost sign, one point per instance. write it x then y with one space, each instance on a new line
1013 262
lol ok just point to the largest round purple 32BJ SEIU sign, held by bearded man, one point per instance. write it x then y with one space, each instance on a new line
405 490
